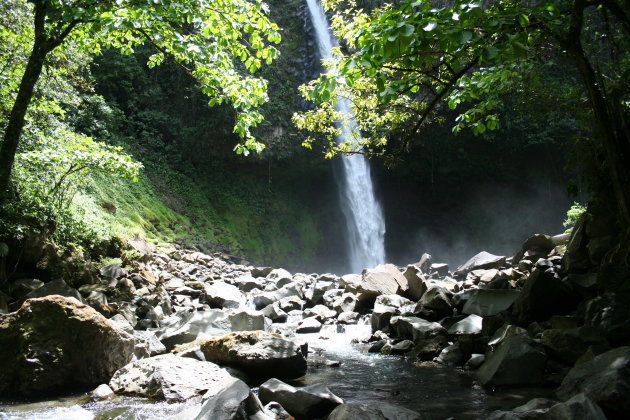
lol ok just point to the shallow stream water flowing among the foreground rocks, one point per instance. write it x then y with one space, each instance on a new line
438 392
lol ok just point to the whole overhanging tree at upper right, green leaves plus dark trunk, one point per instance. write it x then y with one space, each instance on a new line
403 65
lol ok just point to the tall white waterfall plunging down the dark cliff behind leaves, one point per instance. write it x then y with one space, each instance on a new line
363 214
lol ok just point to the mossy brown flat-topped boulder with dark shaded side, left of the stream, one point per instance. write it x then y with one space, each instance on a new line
259 353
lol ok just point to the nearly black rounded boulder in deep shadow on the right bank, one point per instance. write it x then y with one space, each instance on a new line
544 294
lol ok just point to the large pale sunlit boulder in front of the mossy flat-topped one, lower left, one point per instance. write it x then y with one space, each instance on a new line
169 377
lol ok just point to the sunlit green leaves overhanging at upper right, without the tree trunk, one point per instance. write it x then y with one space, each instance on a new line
406 65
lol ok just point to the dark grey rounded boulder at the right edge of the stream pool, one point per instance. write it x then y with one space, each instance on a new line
518 360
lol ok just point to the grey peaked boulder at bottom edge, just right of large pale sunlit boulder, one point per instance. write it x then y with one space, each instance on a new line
235 401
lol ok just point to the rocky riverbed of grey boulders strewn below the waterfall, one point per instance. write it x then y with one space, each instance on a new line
220 340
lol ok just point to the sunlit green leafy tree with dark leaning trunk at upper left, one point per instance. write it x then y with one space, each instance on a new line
217 41
